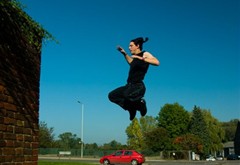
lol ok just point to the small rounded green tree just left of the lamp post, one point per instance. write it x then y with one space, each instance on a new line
68 141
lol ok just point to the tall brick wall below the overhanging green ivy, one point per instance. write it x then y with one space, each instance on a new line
19 94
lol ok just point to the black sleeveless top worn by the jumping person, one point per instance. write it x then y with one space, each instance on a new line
138 69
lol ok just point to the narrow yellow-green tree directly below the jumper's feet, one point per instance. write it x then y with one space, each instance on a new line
135 136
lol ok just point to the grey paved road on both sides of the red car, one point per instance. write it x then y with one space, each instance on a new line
148 162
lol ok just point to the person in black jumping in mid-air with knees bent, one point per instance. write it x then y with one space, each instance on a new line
130 96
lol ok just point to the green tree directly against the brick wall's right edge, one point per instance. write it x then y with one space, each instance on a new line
46 136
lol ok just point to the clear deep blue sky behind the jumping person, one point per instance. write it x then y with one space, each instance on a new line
196 42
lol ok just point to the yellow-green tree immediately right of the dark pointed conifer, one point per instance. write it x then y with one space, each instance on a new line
216 132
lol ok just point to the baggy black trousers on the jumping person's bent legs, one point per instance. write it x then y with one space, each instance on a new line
129 96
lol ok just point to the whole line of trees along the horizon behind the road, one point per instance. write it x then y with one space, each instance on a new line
174 129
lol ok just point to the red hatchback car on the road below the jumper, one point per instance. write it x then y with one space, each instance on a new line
123 156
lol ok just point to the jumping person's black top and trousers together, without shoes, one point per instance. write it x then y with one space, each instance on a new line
129 96
